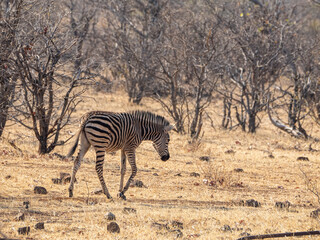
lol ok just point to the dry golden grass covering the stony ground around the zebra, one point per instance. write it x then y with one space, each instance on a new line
173 195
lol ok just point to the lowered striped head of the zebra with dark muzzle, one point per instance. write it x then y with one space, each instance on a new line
161 141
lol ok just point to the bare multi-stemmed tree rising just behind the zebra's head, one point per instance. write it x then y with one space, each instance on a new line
187 65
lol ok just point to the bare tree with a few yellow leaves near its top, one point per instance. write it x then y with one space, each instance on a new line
254 61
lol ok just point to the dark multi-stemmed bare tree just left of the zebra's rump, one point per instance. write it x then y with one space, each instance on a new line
45 103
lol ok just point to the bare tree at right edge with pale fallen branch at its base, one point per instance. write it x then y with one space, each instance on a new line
301 90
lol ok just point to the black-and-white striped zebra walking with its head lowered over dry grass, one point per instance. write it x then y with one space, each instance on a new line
109 132
